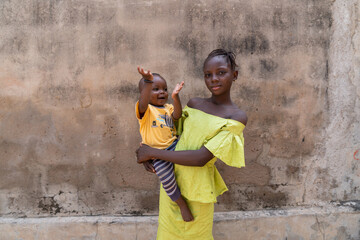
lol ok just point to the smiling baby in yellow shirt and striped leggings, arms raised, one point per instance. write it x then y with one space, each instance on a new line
157 130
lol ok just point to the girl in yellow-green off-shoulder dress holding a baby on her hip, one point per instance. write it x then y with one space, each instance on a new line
212 129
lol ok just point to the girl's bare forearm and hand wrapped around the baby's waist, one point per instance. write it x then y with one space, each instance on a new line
187 158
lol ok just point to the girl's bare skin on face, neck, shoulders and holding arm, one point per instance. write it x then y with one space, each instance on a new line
218 77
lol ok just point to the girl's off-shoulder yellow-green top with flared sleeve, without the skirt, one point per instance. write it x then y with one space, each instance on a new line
223 138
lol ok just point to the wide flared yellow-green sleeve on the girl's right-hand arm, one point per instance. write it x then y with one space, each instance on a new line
228 145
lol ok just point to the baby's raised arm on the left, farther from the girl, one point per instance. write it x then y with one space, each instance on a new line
144 98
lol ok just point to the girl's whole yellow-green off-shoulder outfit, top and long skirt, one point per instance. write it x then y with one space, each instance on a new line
200 185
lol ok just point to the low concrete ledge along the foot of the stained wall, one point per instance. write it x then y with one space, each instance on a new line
333 222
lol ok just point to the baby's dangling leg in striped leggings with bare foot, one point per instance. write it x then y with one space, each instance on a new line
165 172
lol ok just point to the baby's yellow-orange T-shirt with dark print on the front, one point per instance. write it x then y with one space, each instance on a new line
156 126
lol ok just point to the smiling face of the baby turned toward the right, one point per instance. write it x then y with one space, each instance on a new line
159 94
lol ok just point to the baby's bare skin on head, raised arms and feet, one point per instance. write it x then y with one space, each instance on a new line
155 93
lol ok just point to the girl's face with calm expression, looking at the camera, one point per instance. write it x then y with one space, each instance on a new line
218 75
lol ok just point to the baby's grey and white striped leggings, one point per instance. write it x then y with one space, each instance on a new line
165 172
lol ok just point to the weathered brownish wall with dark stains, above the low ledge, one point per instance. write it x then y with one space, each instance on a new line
69 84
